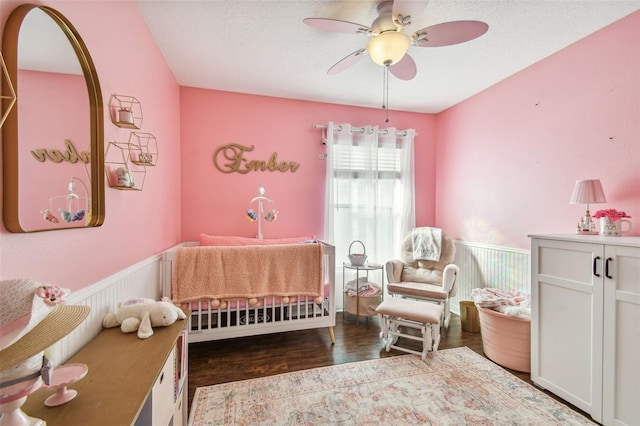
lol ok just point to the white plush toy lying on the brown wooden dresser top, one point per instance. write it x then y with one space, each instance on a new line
142 315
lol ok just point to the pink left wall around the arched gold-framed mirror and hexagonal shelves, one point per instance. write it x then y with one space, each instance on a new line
137 224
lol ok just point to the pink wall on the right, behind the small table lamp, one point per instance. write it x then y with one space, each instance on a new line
508 157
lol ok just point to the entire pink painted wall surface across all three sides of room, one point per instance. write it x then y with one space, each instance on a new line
506 158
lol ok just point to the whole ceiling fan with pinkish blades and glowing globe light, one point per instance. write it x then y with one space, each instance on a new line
389 44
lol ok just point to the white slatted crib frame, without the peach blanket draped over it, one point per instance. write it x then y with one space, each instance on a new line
267 314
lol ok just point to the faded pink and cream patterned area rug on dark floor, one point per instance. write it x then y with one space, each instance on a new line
451 387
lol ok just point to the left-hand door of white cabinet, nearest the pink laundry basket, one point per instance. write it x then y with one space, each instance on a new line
566 324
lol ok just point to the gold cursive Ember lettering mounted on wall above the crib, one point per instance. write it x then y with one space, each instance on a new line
233 153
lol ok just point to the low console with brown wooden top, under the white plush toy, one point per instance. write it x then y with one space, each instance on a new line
123 370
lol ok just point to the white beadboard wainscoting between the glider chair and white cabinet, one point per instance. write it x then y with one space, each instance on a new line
483 265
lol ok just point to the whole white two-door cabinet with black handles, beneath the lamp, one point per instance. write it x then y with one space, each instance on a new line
585 328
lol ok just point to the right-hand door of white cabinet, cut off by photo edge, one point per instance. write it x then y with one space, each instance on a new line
621 379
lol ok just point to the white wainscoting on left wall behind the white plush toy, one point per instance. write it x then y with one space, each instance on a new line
142 279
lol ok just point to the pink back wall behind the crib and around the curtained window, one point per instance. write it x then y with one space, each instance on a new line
214 202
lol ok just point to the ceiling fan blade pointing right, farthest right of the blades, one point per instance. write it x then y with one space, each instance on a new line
449 33
